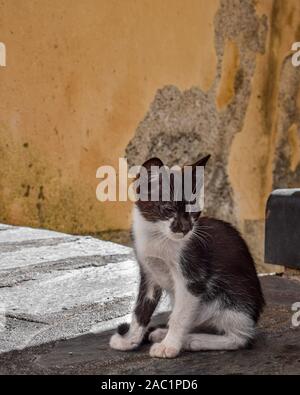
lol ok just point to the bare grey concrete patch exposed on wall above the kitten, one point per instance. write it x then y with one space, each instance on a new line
182 126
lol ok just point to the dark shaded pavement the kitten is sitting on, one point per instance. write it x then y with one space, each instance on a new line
276 350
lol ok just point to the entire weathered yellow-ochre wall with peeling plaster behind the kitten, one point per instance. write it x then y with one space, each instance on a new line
90 81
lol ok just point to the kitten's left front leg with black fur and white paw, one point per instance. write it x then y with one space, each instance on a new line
130 336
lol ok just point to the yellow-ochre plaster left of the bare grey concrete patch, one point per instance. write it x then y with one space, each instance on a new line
80 76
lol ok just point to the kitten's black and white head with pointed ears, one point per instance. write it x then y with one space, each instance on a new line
170 213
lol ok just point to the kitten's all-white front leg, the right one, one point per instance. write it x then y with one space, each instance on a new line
180 323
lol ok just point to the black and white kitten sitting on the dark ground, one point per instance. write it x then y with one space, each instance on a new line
206 268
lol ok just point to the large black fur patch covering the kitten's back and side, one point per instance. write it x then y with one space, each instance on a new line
218 266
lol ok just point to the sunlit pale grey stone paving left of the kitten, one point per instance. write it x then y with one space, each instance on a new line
56 286
